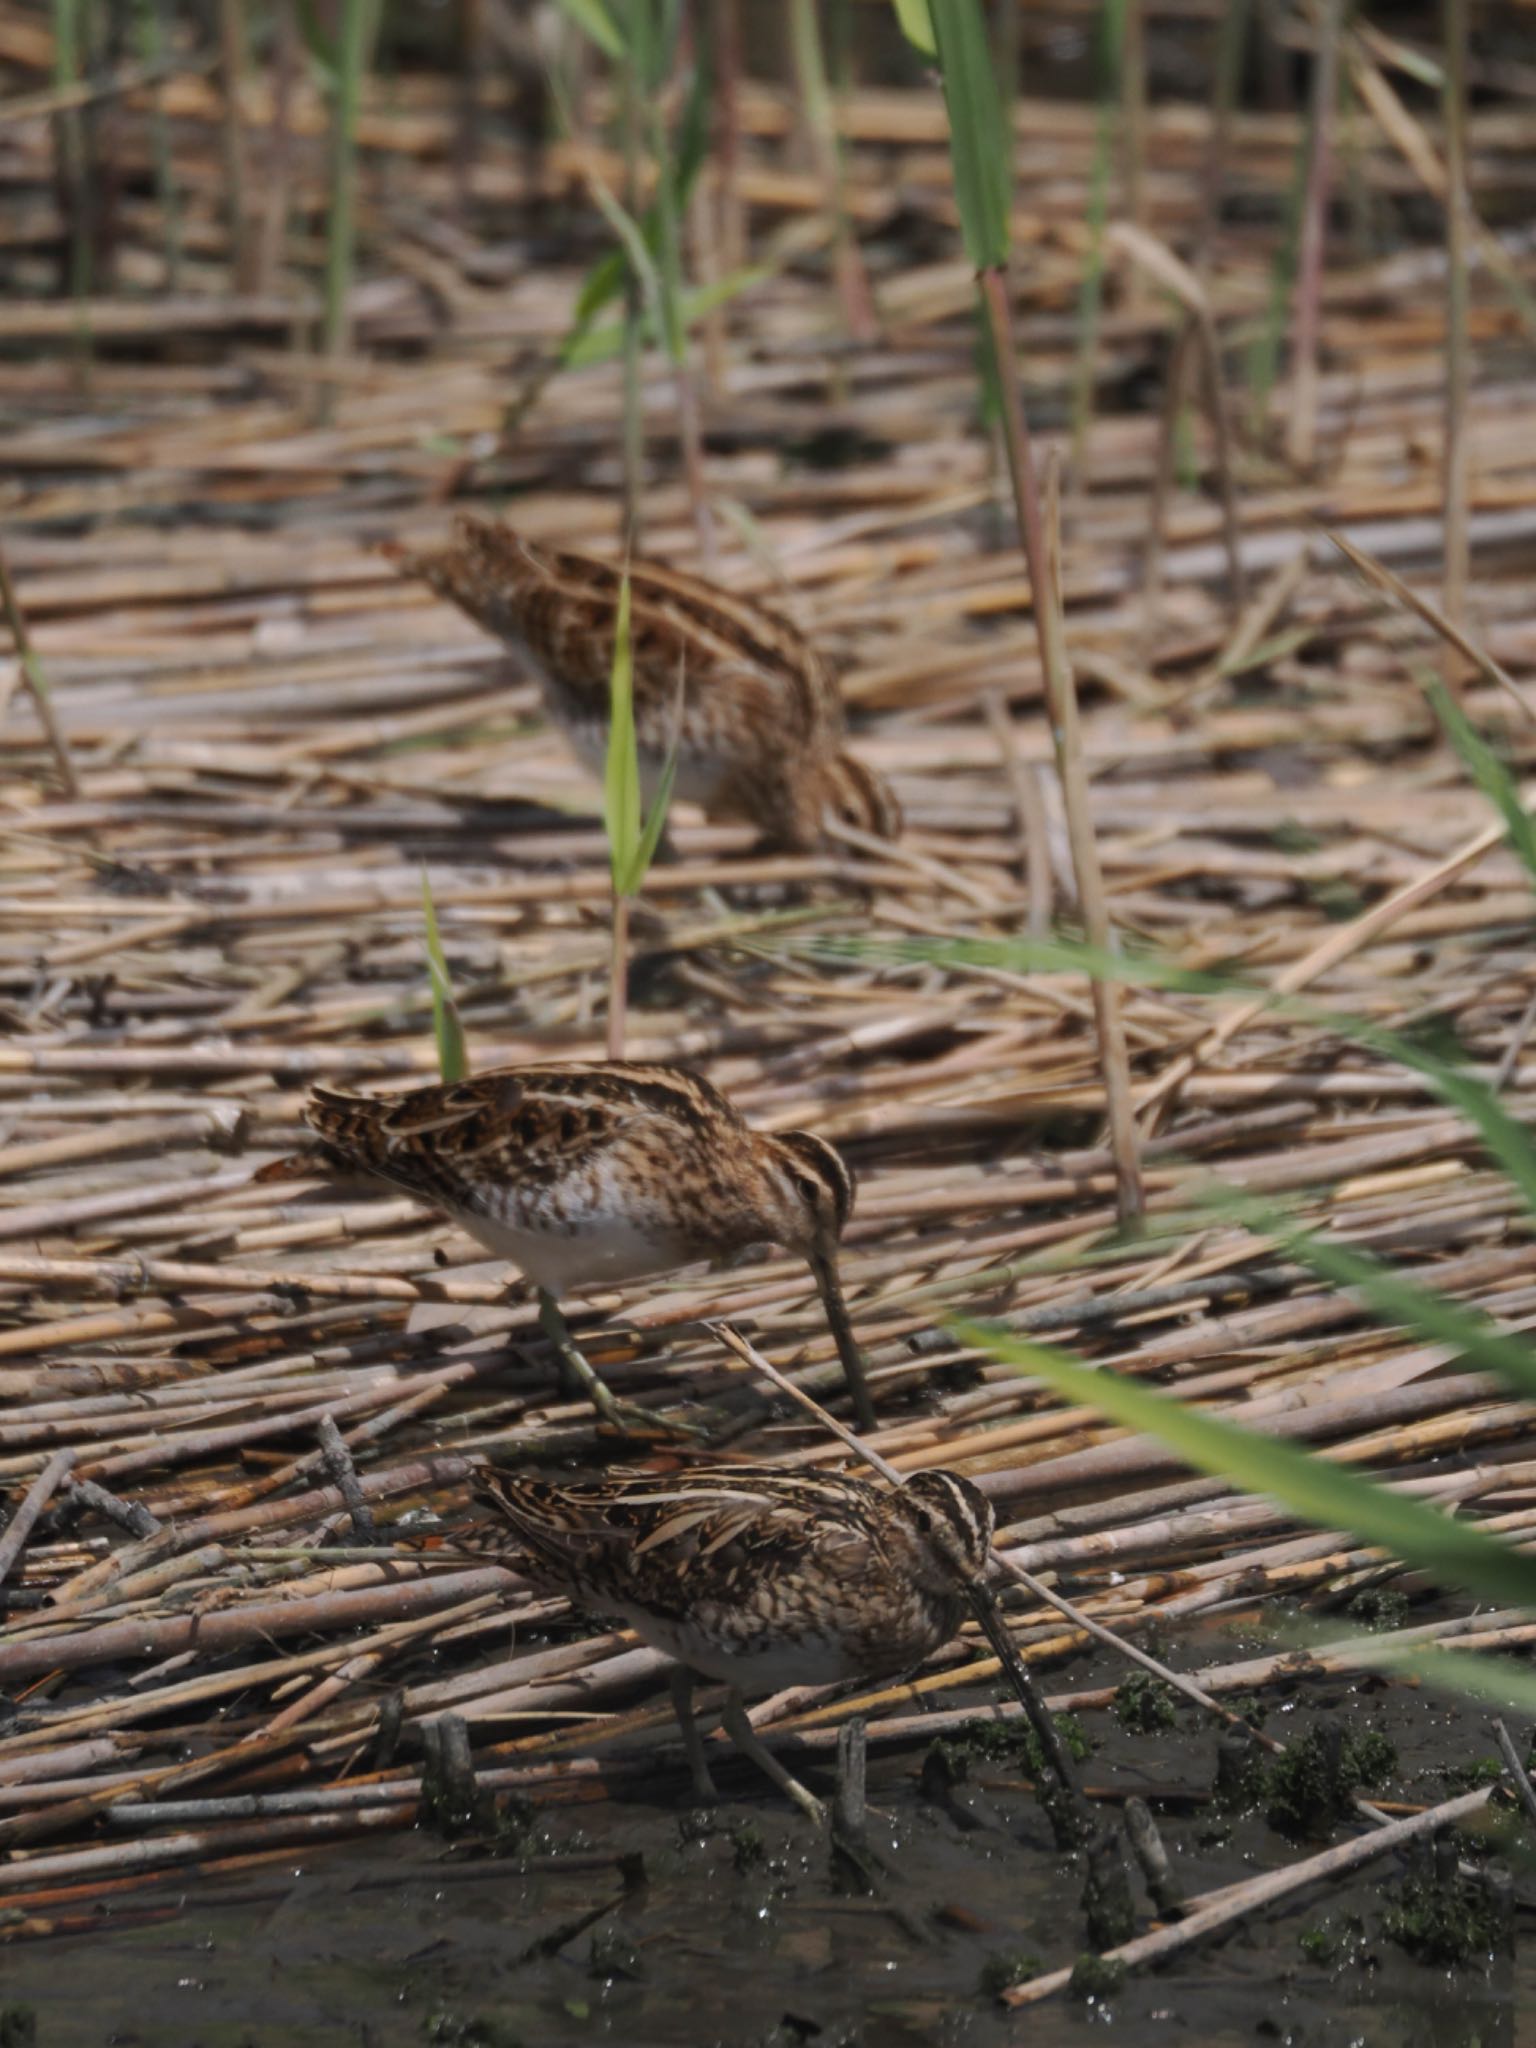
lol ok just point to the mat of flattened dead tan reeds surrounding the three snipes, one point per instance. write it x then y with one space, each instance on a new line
271 734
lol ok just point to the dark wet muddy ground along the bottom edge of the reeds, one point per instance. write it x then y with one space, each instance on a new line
738 1932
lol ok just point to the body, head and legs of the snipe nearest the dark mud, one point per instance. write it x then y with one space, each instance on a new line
761 1578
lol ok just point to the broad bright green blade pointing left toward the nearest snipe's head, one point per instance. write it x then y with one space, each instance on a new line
1449 1551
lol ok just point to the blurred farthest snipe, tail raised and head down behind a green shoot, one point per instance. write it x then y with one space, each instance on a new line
753 708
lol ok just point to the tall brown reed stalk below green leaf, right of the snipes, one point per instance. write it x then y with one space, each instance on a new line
1066 738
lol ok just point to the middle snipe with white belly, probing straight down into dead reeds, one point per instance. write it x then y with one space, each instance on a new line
593 1175
